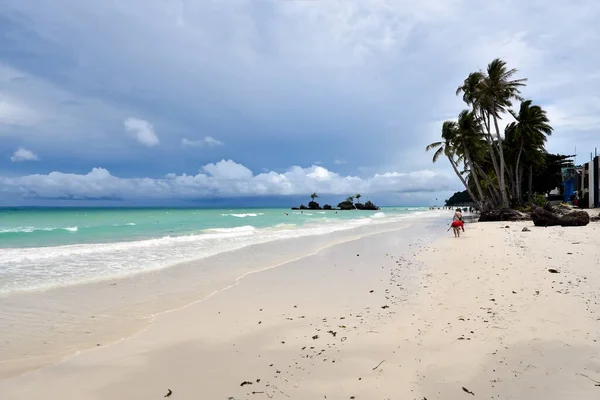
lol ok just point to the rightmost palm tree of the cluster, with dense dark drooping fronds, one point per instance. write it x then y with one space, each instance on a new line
528 135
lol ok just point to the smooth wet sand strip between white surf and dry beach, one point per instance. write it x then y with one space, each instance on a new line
77 324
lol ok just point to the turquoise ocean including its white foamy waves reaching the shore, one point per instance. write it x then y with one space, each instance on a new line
42 248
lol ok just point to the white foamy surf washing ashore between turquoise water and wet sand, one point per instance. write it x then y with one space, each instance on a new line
157 252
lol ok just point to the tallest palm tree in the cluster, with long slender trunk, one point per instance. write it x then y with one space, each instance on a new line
494 94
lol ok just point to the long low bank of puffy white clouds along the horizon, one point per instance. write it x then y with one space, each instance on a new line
225 178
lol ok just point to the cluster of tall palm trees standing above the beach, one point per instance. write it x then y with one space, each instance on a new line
490 163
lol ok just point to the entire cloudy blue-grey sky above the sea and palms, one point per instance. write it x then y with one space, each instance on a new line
192 102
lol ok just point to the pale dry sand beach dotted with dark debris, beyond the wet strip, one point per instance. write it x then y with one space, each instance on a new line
375 318
